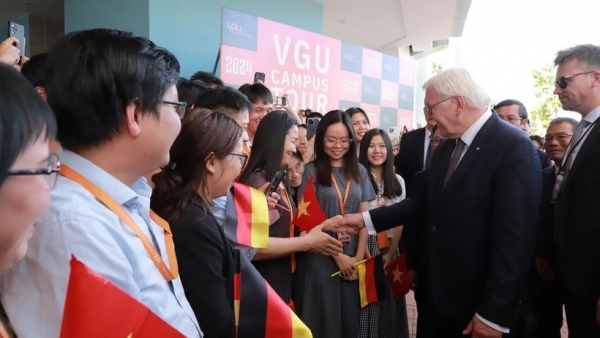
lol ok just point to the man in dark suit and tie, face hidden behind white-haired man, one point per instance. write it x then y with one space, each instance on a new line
415 152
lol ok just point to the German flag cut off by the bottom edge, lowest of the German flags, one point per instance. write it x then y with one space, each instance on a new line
259 311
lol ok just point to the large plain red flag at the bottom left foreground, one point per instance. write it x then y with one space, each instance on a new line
95 307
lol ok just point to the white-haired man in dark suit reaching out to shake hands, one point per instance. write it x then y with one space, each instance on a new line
478 254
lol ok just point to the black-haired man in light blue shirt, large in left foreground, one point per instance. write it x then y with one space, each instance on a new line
116 105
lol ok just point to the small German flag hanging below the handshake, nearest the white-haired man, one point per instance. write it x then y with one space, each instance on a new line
371 281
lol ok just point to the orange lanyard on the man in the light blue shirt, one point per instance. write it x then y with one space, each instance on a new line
110 203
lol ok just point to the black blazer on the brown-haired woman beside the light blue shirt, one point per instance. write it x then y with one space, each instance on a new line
206 266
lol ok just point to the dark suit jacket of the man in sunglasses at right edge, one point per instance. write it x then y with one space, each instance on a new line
577 221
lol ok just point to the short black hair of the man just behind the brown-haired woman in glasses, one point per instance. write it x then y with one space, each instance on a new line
225 100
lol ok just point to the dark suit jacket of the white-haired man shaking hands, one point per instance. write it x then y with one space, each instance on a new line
481 227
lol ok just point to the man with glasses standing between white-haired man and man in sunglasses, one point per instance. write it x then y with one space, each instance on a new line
549 295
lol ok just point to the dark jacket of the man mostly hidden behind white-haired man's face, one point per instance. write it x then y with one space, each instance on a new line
411 157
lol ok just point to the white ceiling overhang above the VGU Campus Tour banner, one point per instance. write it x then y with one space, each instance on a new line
391 26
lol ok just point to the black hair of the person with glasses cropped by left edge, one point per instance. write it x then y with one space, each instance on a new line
24 118
